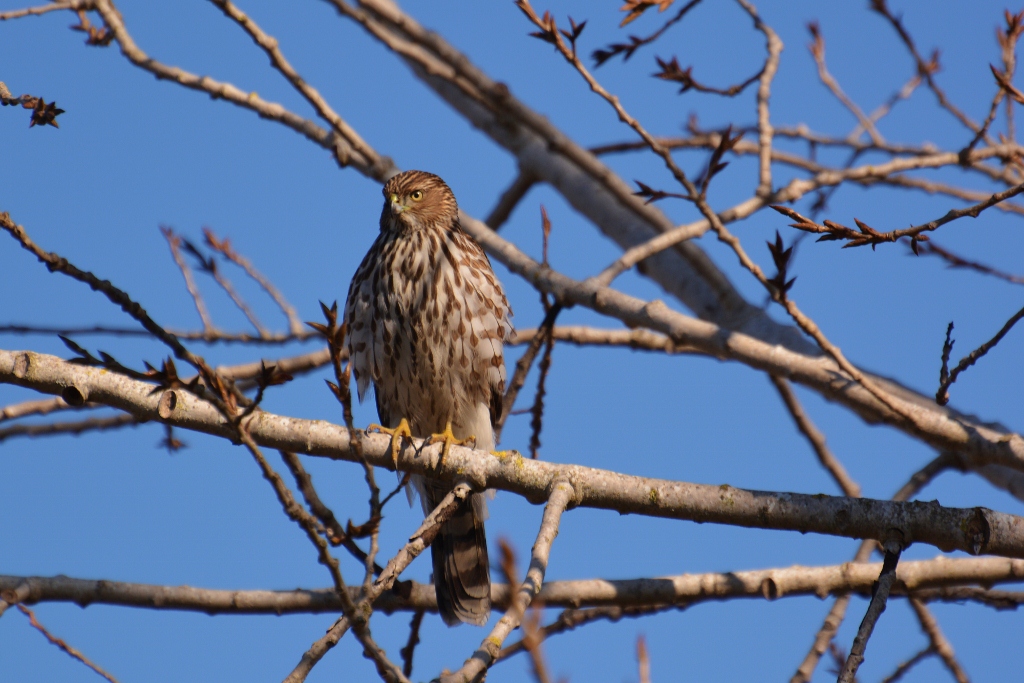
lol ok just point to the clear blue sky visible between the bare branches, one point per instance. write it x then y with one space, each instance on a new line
134 154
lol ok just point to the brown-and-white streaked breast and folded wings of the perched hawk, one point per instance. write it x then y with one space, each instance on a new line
428 320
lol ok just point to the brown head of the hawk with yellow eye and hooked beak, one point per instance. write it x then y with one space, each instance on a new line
417 200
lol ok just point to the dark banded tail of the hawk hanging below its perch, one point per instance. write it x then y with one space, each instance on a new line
462 575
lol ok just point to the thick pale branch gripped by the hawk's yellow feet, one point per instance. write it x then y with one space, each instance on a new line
974 531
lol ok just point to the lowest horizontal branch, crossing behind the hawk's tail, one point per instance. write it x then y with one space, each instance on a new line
941 579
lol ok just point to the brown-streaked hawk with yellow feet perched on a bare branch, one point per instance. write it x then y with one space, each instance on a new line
428 320
